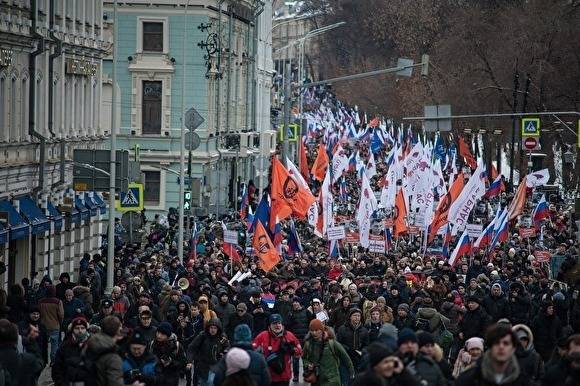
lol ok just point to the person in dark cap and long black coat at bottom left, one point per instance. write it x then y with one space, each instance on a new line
67 367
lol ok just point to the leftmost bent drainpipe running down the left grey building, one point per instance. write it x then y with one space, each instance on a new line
32 96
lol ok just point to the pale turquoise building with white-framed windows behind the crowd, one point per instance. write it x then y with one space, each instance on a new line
211 56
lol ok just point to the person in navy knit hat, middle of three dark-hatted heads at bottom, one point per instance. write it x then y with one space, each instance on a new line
421 366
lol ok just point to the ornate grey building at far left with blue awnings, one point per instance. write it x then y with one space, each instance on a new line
50 101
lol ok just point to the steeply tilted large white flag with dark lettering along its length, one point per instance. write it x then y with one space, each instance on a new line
471 193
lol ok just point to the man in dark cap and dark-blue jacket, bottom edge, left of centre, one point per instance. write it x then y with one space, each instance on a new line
139 365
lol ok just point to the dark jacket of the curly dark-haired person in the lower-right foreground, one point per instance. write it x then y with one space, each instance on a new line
483 375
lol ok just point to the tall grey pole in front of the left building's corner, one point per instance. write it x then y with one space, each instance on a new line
113 161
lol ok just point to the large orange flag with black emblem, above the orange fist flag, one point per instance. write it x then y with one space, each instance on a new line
288 197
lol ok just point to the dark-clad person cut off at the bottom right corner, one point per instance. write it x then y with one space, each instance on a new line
566 372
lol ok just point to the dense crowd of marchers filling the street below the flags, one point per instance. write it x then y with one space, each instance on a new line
403 317
